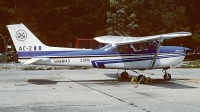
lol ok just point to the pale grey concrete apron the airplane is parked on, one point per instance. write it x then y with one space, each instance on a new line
97 90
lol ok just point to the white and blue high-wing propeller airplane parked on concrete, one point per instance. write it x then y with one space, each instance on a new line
121 52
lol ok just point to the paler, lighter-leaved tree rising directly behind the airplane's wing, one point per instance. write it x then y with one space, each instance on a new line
118 19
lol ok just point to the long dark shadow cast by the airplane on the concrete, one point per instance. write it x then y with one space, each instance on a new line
156 82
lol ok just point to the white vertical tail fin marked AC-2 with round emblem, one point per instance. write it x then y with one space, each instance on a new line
28 45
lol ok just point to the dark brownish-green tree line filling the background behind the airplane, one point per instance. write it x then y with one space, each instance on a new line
60 22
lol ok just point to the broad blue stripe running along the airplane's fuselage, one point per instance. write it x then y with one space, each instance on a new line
95 53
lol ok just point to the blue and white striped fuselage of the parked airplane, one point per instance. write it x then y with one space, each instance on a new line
117 57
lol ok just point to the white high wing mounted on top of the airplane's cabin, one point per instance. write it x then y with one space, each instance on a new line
120 40
